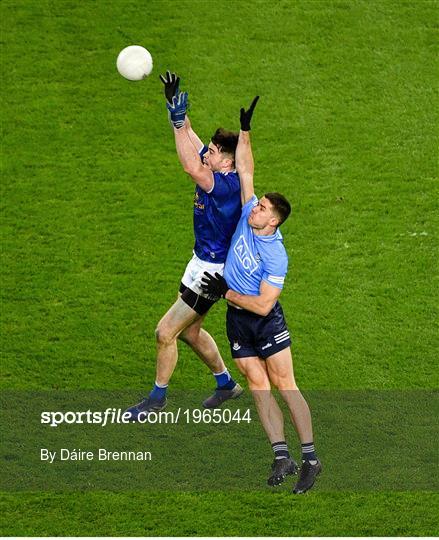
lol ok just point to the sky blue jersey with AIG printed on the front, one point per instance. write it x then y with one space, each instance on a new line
252 258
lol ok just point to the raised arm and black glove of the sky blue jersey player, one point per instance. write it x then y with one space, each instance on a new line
244 157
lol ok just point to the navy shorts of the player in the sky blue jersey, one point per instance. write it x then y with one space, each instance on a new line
255 335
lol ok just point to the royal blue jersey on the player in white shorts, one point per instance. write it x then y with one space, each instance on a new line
216 214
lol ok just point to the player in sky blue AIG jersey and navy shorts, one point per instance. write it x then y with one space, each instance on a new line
254 275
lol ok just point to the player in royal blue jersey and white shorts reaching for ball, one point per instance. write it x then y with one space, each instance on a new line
217 209
